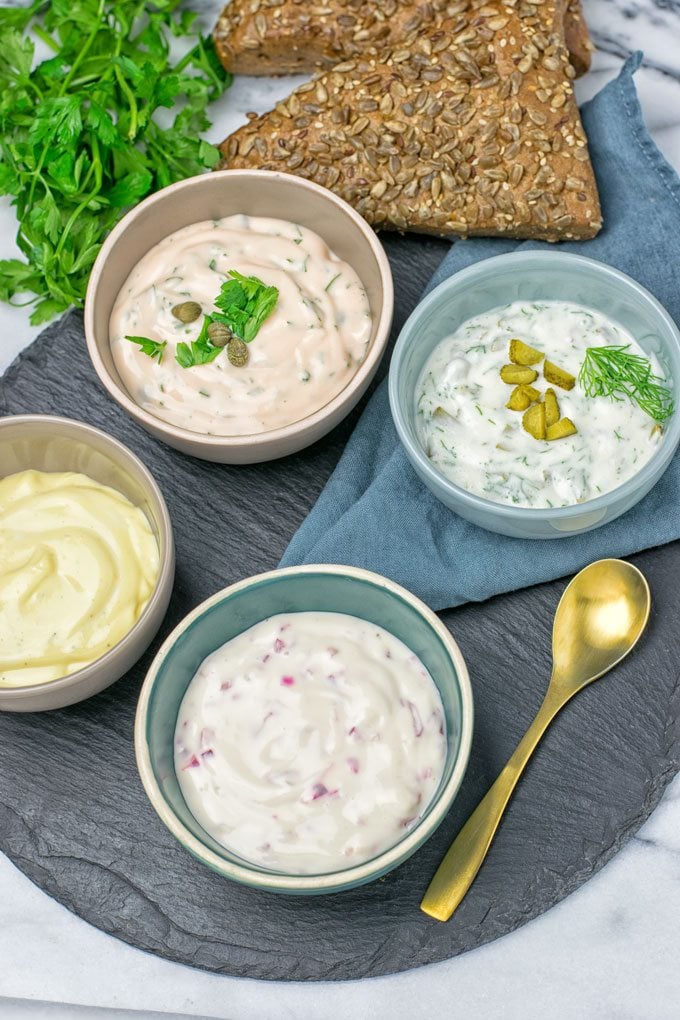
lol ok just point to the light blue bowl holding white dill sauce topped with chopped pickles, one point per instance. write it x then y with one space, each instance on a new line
533 276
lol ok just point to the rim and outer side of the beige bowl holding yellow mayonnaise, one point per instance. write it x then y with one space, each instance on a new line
166 574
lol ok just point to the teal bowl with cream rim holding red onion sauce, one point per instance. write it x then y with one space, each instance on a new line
323 589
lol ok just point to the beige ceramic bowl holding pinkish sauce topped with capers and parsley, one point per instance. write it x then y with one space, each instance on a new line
212 196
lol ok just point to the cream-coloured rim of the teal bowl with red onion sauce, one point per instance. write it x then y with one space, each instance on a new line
336 881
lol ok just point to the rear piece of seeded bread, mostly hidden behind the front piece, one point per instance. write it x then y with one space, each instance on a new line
282 37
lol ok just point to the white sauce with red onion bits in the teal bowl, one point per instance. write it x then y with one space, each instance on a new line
310 743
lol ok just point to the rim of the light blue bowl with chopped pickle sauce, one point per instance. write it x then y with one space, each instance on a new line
474 275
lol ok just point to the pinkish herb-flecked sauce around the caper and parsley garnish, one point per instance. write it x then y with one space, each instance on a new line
304 354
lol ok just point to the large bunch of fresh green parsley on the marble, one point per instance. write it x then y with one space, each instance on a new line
80 140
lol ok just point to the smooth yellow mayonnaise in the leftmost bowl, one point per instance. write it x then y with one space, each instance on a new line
78 566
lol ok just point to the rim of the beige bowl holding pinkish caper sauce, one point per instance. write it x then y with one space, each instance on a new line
255 440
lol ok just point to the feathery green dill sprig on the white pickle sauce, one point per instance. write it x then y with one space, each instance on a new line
614 372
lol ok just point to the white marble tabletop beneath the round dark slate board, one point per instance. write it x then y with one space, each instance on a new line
610 951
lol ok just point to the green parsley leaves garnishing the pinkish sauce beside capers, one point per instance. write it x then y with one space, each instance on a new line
245 303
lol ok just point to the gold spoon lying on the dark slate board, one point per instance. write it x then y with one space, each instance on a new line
600 620
